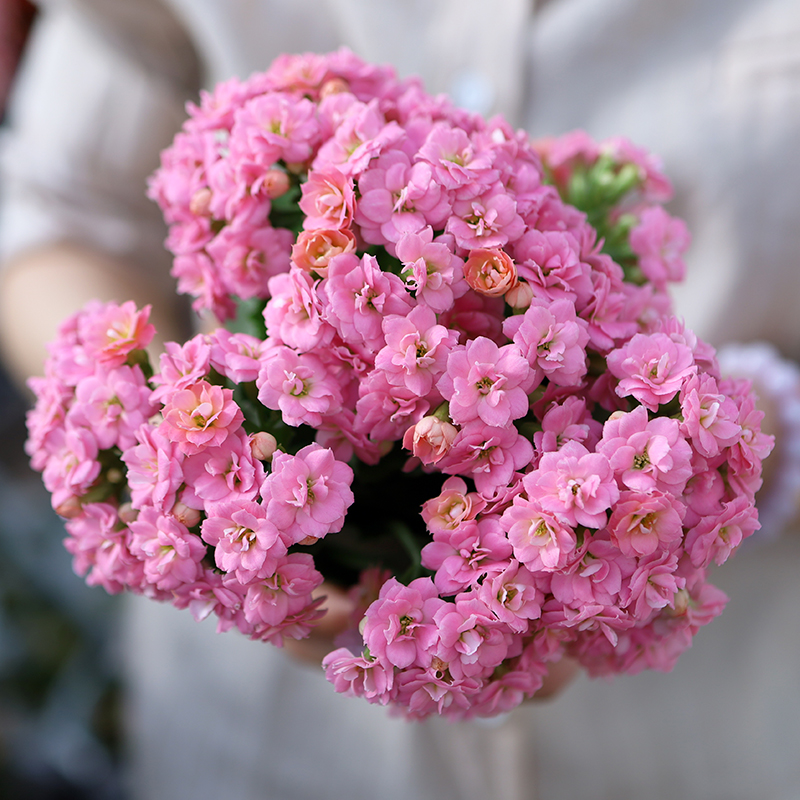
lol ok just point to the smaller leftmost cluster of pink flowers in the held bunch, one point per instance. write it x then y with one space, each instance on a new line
165 493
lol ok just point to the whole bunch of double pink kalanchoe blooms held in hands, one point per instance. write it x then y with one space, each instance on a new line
454 385
